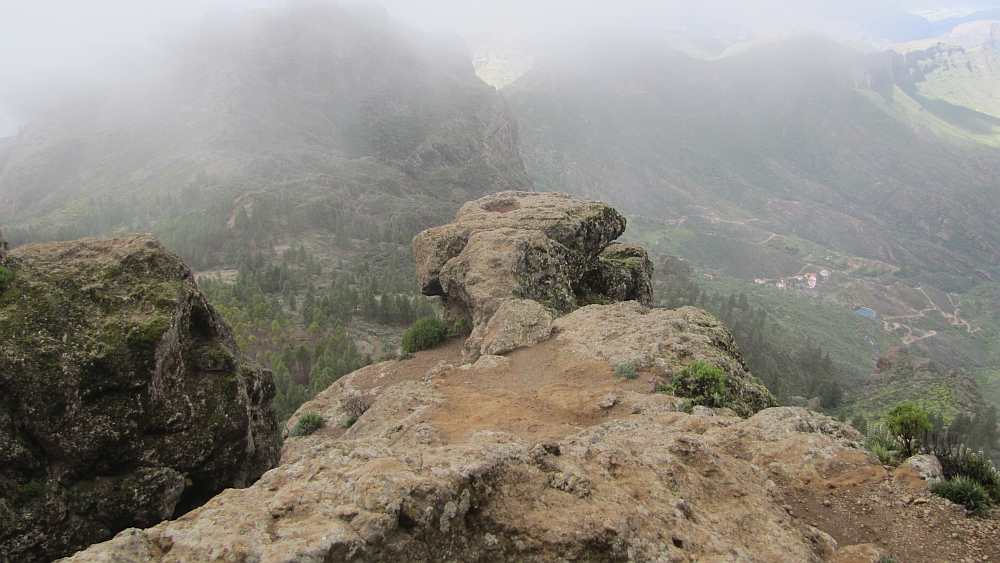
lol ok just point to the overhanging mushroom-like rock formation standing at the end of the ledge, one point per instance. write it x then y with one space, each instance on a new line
549 248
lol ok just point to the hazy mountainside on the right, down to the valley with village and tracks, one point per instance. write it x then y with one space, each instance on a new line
790 158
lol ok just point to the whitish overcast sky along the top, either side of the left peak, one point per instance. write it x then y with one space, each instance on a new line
48 44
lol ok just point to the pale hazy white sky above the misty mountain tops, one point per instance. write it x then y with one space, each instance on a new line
49 46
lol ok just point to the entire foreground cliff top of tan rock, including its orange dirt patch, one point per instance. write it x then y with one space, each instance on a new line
543 456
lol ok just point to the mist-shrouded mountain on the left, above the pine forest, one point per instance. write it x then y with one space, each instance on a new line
339 98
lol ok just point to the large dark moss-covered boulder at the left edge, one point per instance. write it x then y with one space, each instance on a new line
124 397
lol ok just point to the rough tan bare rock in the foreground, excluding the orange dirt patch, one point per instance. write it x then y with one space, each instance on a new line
654 486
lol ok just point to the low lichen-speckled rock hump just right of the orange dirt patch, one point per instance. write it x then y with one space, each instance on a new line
665 341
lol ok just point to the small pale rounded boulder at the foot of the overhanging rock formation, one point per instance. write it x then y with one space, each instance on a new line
517 323
